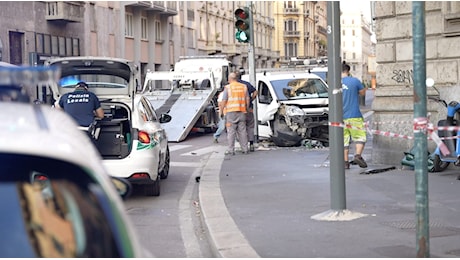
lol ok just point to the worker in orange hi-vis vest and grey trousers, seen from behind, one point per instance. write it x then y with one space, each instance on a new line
235 100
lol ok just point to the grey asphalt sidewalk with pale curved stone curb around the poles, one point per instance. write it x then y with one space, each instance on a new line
264 204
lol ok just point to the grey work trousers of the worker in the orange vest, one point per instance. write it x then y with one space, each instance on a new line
236 126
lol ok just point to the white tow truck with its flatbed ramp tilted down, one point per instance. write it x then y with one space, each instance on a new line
189 97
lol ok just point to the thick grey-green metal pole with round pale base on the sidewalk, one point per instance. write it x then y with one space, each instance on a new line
334 79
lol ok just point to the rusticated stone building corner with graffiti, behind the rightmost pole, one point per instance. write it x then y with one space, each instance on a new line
394 95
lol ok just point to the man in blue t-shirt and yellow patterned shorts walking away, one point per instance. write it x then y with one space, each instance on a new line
353 88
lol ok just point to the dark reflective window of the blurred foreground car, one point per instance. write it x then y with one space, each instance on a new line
52 208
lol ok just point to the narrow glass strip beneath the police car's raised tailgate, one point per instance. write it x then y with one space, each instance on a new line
94 81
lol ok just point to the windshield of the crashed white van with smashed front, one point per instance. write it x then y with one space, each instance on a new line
289 89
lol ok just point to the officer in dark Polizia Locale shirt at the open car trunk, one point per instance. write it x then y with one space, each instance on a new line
82 105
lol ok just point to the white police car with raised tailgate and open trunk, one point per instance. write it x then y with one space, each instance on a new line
130 138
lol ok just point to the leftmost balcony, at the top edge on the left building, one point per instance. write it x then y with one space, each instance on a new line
71 12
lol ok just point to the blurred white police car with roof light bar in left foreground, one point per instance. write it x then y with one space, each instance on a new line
57 199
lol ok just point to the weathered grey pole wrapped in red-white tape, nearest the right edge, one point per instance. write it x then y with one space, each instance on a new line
420 136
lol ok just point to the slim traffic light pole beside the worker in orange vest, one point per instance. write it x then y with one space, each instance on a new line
252 67
